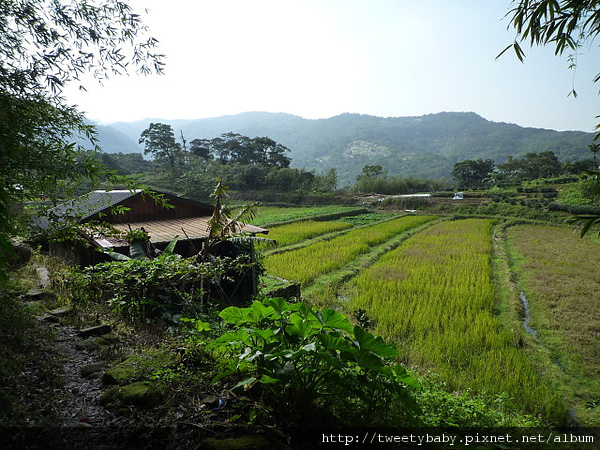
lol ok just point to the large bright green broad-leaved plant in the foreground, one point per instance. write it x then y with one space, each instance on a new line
302 359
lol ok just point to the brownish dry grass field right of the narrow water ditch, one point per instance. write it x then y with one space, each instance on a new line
560 275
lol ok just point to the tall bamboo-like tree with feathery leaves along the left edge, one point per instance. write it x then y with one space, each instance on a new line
45 45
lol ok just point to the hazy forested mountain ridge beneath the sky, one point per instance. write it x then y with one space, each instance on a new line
425 146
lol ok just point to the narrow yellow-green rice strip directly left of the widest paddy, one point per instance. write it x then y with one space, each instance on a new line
307 263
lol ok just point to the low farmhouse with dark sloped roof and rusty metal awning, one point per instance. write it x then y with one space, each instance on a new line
126 210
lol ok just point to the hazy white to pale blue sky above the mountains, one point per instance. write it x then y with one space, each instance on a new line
319 58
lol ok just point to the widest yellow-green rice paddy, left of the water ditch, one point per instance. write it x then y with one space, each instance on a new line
434 297
